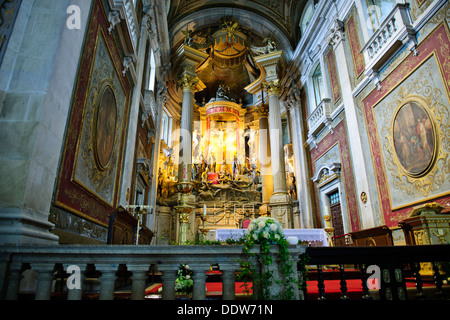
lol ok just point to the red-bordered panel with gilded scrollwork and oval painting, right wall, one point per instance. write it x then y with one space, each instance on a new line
408 129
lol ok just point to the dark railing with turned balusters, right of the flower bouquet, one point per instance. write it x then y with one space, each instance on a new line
396 266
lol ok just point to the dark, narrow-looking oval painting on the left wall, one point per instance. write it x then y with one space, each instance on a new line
106 127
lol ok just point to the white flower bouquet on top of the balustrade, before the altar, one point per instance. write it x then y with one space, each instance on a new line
265 230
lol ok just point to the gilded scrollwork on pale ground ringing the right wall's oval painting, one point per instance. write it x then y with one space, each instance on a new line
421 92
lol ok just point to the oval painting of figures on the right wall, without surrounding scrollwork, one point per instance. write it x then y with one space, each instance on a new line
414 138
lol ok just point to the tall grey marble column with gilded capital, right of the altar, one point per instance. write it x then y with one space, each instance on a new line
280 201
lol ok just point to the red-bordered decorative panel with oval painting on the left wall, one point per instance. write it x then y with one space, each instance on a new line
90 173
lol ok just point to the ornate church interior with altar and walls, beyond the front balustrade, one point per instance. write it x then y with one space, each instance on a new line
177 122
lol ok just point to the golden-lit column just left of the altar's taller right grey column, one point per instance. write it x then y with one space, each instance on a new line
265 157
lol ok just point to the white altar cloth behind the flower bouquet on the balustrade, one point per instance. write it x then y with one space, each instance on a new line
318 236
